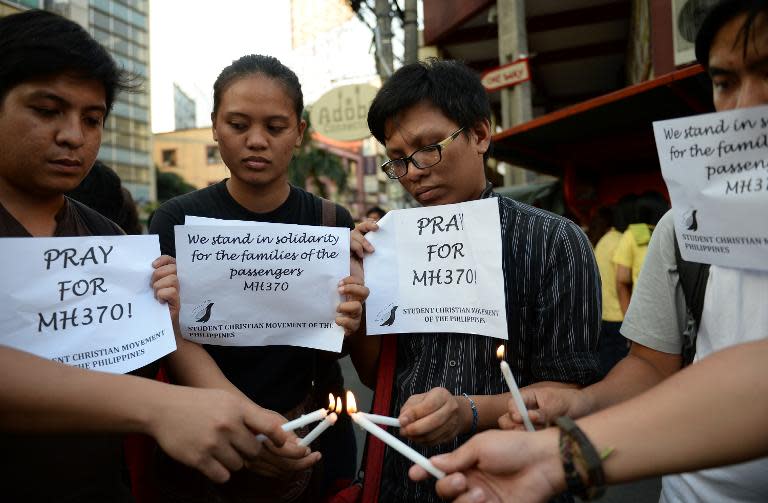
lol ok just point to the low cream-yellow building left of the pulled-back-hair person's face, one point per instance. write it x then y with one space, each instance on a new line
190 153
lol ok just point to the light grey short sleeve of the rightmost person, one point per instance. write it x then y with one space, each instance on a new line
657 314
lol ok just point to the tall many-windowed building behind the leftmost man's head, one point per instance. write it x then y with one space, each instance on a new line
123 28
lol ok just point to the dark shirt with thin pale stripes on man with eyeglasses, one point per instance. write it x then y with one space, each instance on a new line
552 288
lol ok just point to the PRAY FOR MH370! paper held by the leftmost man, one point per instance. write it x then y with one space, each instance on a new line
84 301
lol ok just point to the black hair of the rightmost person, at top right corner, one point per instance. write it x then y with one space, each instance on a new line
720 14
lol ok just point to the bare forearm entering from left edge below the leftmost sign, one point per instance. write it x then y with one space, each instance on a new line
38 395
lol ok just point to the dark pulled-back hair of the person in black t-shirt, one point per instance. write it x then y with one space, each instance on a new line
259 64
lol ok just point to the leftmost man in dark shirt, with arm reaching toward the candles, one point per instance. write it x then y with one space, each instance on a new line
60 426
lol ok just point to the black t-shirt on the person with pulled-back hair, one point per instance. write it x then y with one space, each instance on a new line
275 377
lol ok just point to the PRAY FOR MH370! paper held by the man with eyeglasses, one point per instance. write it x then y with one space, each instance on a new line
437 269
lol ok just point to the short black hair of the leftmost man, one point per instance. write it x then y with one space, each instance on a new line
38 44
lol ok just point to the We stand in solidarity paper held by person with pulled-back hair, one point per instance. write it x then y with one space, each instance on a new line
261 284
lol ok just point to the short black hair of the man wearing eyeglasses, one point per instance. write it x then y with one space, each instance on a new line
451 86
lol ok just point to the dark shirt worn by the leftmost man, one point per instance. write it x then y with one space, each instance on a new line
63 468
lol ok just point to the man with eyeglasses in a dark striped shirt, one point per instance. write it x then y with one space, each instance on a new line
434 120
